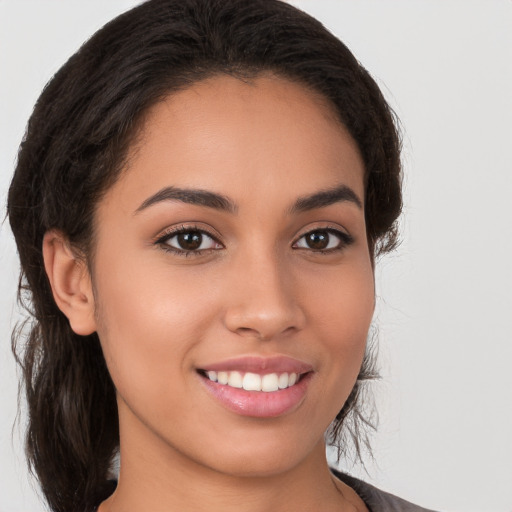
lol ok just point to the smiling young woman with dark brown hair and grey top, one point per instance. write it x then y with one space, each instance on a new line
198 204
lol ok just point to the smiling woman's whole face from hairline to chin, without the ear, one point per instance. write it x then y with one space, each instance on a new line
233 248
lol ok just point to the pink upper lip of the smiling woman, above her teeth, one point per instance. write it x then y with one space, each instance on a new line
260 364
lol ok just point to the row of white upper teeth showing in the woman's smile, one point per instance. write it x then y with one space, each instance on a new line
253 381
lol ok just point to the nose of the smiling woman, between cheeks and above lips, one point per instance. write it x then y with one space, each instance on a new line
263 303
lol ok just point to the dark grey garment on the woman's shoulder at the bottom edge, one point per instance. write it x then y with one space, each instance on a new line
377 500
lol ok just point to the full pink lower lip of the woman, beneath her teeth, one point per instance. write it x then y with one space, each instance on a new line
259 404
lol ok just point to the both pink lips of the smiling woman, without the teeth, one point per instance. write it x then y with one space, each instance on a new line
260 404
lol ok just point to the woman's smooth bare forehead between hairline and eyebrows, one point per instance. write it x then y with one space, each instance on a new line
228 135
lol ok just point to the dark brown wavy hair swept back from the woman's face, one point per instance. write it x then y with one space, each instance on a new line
73 151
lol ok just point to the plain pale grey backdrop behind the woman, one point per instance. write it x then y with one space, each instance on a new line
444 298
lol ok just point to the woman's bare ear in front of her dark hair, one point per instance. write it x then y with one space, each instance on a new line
70 281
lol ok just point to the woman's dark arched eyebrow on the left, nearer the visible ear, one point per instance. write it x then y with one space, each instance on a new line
190 196
